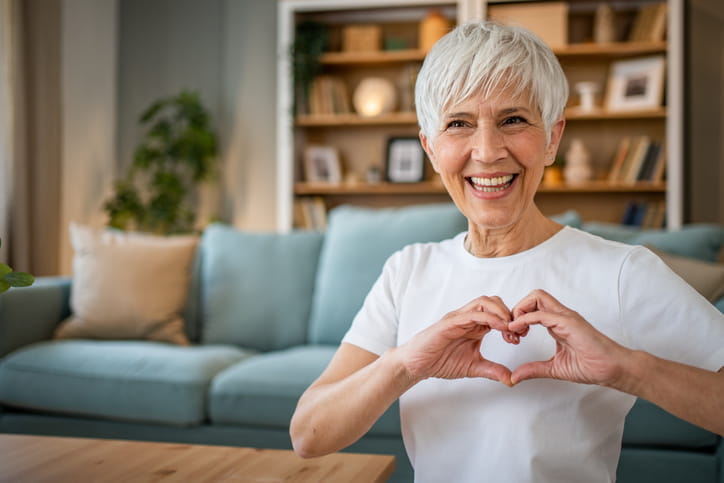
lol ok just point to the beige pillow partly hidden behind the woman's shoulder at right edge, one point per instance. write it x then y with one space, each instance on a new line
706 277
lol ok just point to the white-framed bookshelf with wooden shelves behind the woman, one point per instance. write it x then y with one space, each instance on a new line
361 141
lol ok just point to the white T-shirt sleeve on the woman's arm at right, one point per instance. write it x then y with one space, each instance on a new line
665 316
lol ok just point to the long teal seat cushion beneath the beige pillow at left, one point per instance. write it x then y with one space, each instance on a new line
127 380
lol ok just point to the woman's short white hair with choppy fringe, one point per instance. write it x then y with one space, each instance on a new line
482 58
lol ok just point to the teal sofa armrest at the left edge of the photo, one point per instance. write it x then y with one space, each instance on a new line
30 314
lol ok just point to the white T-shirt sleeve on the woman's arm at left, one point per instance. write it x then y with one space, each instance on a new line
374 328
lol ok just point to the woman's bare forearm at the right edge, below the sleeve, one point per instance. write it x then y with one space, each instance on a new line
692 394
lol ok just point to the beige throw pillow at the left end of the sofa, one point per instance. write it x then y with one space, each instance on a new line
128 285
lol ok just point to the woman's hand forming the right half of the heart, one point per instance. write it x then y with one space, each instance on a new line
583 354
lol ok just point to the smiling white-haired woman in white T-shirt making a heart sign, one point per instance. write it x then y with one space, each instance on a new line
587 324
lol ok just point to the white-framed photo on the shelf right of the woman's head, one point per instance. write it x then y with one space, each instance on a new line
636 84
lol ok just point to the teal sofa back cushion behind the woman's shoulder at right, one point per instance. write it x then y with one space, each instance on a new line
701 241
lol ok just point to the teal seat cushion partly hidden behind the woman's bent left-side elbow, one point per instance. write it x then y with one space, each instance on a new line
264 390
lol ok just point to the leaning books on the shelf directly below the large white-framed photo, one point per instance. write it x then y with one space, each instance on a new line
638 159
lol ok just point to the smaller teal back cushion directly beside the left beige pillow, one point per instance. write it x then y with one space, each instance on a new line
256 288
